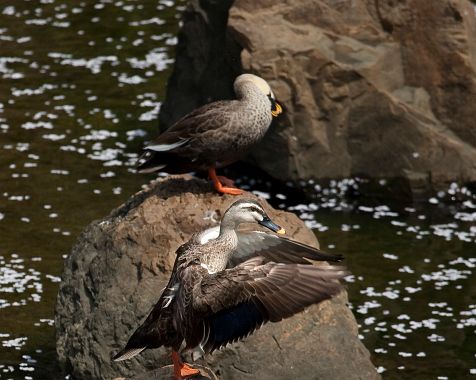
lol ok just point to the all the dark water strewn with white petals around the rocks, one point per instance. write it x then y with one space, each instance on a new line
81 85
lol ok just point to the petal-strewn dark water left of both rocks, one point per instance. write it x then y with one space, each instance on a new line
80 84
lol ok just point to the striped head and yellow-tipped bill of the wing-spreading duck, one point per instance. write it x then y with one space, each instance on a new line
248 211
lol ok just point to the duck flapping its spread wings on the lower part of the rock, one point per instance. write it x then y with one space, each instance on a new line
227 282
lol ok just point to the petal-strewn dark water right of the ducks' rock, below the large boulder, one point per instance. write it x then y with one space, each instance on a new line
429 261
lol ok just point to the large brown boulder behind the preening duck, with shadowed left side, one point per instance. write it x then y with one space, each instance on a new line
382 88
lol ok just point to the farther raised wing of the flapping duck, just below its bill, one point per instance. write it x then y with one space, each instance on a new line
276 248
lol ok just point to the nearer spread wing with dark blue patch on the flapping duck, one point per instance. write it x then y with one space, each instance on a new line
237 301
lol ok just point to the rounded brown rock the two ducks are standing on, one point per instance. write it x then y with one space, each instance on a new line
115 273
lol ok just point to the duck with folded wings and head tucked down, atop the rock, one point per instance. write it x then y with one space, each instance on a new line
215 135
